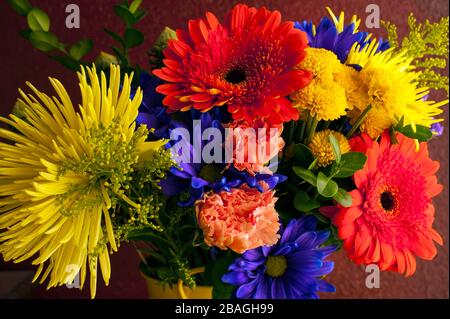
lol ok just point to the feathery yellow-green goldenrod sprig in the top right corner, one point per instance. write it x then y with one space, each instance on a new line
427 45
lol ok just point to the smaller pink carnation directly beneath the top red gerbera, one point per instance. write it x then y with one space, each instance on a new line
254 144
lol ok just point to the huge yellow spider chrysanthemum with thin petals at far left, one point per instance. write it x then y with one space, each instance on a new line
64 171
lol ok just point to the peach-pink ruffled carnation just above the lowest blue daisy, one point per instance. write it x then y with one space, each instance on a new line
241 219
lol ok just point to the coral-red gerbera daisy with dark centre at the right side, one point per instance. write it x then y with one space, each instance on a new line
390 221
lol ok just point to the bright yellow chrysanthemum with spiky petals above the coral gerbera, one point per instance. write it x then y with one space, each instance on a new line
388 84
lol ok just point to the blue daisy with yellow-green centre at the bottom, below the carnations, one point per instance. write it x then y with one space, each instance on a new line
291 269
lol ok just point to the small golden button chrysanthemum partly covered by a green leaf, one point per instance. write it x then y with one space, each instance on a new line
321 147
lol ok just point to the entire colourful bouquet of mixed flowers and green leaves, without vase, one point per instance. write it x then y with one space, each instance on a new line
249 151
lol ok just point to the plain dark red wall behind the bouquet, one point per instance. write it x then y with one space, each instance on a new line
19 62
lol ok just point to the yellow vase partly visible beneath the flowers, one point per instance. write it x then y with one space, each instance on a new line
158 291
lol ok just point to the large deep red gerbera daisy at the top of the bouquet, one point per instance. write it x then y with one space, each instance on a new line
246 63
